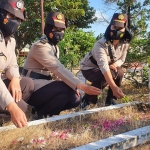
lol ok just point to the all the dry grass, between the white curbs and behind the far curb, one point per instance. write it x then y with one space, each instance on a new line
65 134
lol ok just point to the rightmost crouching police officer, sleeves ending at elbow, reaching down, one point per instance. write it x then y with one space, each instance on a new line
102 66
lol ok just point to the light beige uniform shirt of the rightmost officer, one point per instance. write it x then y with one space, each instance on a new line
101 55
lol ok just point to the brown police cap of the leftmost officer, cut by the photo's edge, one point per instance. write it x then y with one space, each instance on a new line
15 7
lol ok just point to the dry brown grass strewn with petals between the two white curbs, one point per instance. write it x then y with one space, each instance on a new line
78 131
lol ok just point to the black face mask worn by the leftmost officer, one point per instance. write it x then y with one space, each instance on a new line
10 25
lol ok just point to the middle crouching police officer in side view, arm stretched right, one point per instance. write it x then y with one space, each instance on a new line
52 96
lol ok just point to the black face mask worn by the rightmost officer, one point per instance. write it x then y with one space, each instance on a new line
116 34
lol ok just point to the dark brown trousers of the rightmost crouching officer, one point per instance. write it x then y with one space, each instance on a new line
97 79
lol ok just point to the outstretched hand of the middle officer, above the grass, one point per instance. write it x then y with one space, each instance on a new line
91 90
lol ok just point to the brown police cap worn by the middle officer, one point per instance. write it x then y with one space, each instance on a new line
56 19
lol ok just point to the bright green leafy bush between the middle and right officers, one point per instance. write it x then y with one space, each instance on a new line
74 46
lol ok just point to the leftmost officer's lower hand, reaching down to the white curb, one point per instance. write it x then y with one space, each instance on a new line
17 115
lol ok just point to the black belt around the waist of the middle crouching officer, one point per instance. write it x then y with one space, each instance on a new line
36 75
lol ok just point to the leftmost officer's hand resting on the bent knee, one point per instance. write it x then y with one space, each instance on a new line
14 88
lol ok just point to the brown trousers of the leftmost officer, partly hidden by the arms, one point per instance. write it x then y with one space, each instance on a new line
27 88
